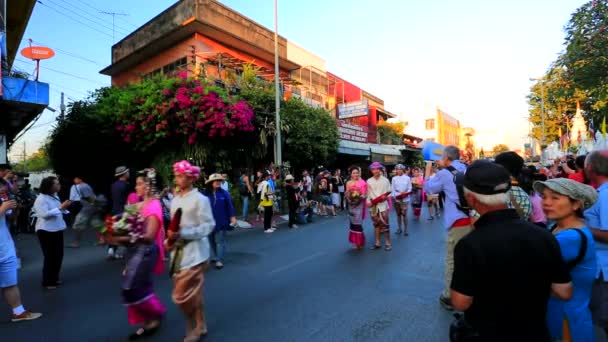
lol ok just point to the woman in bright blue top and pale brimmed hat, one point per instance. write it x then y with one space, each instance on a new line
563 201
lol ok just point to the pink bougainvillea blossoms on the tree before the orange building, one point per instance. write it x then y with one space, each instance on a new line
183 107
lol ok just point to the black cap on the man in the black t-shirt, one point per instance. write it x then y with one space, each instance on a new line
486 178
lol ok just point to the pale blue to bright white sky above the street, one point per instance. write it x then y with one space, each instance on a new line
472 58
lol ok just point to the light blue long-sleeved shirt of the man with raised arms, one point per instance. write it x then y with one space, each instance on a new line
444 181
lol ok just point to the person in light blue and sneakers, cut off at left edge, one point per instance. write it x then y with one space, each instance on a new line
9 263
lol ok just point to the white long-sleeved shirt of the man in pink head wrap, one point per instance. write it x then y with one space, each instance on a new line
197 222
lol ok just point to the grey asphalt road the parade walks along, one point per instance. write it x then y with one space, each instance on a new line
293 285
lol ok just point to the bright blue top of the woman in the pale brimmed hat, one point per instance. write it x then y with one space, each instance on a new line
583 275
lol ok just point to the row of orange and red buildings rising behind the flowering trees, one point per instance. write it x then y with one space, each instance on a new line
206 38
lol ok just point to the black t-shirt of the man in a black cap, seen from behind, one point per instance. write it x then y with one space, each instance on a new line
508 265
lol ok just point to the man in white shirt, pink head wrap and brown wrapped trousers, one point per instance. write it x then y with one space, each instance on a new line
190 248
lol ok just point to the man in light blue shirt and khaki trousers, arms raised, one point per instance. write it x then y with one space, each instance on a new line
455 220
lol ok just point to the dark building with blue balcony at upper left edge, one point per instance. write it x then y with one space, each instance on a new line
21 99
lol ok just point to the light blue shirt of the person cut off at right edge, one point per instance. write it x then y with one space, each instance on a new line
597 218
